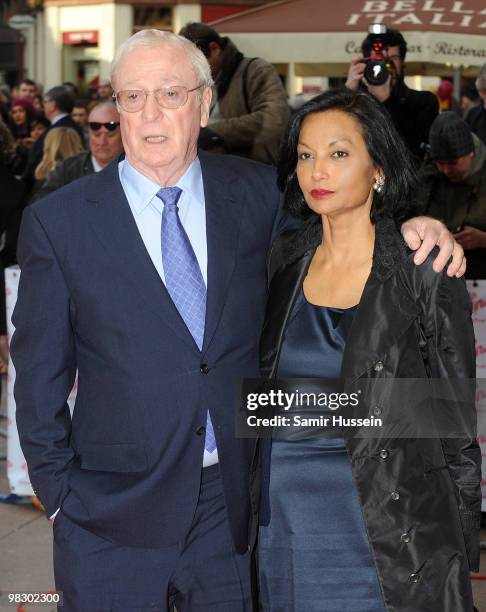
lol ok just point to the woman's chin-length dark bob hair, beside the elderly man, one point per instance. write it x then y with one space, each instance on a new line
384 145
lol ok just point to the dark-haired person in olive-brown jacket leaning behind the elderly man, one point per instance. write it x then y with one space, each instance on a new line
249 108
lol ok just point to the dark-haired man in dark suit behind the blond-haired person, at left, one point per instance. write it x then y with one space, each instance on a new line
58 106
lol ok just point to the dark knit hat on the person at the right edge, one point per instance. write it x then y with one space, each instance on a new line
450 137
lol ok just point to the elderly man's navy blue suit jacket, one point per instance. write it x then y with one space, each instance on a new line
128 467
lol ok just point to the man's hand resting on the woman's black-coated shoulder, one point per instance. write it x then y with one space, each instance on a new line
422 234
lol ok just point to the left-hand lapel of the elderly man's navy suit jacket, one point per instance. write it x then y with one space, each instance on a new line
112 221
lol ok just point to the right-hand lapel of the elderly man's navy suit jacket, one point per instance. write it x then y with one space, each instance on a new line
223 218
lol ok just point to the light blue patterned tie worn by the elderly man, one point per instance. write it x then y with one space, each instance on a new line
183 279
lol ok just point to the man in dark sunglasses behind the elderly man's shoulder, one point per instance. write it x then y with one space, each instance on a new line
105 144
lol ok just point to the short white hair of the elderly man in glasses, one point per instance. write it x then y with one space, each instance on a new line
157 38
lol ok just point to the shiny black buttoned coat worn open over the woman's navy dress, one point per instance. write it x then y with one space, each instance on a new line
420 498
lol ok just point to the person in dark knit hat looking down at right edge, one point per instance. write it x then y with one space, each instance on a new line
453 187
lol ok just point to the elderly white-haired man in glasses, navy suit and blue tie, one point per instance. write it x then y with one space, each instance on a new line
149 279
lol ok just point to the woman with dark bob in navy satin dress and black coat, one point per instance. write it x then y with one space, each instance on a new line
348 523
